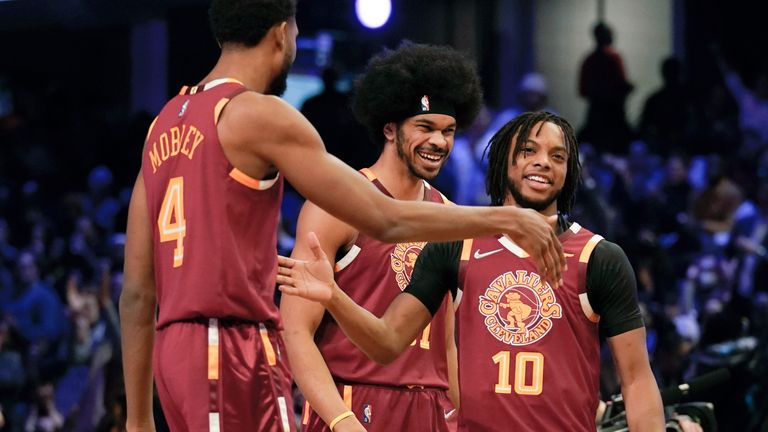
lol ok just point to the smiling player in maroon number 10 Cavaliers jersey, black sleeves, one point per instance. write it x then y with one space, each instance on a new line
528 353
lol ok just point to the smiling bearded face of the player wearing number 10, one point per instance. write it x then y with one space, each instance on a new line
537 174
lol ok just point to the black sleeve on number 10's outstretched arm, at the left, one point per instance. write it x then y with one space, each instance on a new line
435 273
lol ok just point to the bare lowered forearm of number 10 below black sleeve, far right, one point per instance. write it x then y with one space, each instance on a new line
638 387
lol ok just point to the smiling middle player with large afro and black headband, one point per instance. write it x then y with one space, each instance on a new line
337 378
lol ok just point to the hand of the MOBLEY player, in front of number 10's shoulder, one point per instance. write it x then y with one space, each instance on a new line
533 232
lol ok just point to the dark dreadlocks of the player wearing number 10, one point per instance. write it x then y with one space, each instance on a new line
497 182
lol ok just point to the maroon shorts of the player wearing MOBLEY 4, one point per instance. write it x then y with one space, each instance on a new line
220 376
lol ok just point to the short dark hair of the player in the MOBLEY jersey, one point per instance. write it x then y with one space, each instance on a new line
245 22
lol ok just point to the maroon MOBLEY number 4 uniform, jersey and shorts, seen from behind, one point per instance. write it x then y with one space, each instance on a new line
218 359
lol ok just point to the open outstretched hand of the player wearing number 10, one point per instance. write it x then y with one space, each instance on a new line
312 280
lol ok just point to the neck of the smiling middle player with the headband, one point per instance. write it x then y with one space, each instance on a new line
394 174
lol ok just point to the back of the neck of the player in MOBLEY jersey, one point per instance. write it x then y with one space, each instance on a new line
243 64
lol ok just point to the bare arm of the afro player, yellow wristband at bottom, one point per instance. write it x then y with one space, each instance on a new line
301 318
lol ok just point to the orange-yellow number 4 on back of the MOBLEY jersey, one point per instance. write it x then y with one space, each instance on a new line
171 220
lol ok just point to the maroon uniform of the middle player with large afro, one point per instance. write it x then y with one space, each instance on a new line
408 394
